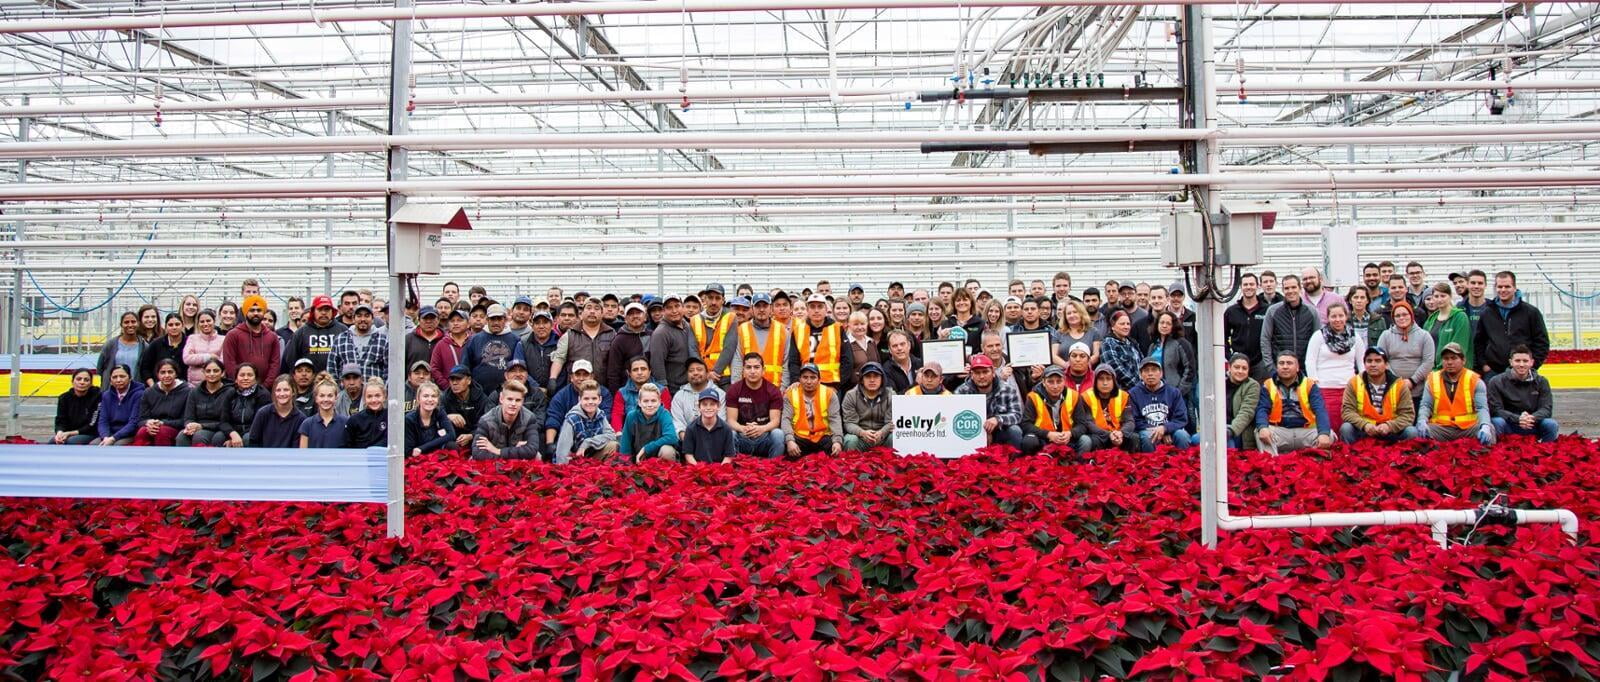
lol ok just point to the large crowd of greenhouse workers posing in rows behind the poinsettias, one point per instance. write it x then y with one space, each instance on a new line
706 377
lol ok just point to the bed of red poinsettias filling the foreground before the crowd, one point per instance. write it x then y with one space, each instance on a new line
868 566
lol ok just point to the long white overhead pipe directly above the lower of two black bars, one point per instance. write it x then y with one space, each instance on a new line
814 140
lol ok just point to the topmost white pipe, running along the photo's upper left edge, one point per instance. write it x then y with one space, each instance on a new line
514 10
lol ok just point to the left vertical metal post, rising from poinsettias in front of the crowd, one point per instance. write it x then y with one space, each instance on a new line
399 124
